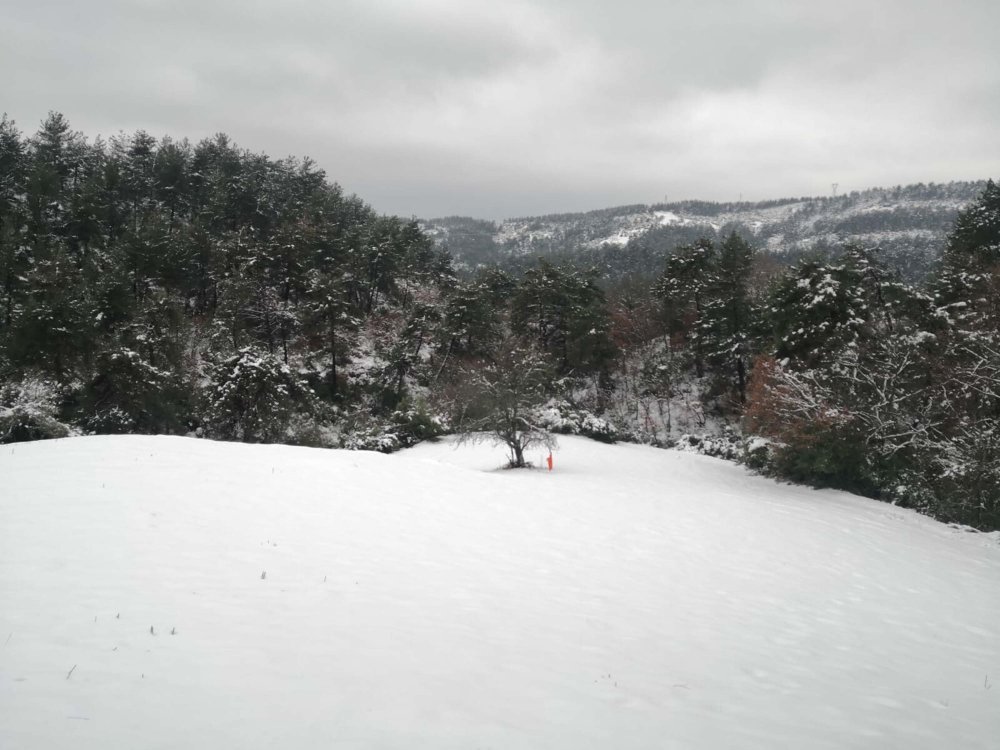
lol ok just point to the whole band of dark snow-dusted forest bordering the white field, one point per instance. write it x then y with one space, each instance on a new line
157 286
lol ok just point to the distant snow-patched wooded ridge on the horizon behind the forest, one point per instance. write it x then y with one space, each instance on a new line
908 223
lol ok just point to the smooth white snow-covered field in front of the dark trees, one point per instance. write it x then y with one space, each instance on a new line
632 598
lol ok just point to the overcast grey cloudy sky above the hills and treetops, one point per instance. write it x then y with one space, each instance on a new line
510 108
